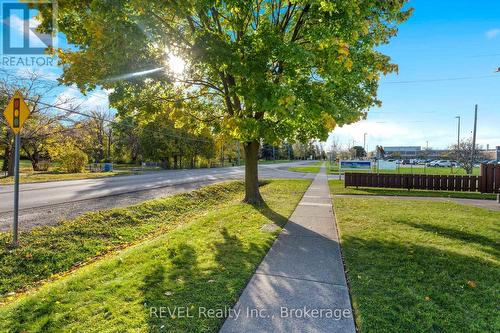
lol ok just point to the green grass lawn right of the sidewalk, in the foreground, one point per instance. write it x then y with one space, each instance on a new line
421 266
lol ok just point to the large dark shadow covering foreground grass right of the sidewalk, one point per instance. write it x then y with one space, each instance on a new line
412 287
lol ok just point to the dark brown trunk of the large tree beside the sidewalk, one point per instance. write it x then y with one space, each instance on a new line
252 194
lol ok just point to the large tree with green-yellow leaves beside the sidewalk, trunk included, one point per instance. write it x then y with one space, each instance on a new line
255 69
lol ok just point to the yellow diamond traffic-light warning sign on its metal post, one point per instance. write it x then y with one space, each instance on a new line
16 114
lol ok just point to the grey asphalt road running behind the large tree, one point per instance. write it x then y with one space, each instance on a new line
50 202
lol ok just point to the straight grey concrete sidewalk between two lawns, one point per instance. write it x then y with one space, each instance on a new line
300 285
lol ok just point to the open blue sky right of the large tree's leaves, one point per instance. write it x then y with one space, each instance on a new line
443 39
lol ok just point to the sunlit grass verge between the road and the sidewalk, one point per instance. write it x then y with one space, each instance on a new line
199 256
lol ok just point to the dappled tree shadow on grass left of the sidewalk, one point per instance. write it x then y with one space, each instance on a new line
190 286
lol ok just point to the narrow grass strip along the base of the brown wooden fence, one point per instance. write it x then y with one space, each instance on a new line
337 187
